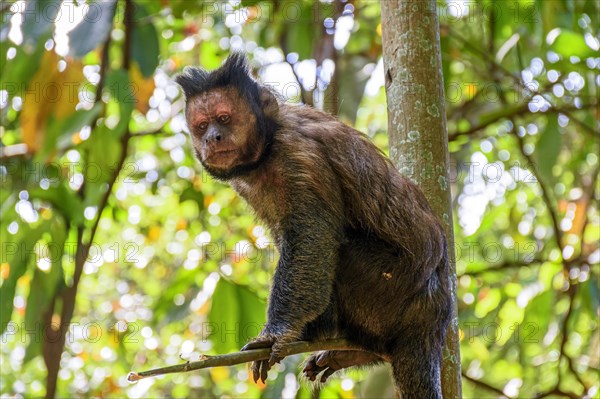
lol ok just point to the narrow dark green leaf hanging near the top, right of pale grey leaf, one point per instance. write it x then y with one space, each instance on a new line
144 41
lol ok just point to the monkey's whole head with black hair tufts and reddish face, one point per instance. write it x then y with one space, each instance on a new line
231 117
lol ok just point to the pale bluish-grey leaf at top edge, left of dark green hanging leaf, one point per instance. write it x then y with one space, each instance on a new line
93 29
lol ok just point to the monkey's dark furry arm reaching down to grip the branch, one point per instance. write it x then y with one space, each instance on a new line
303 281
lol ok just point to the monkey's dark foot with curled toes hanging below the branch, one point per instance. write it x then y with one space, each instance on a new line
328 362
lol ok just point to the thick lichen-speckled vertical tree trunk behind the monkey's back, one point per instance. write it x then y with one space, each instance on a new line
417 129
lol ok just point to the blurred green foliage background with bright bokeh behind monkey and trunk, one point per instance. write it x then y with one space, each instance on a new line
101 196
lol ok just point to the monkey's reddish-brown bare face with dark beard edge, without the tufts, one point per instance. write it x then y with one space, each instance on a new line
223 130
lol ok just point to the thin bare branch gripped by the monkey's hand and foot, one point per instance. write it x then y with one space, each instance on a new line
231 359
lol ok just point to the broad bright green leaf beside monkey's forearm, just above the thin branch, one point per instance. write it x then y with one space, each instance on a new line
236 315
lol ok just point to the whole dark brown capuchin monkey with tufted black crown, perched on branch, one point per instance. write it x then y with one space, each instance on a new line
362 255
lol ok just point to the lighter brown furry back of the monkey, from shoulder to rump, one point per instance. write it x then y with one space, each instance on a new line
374 196
